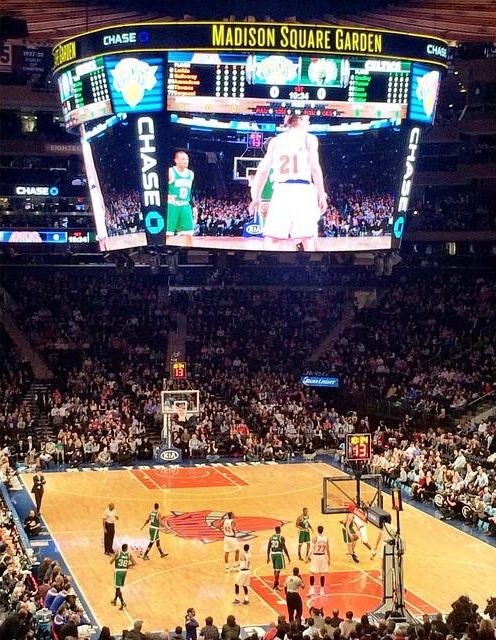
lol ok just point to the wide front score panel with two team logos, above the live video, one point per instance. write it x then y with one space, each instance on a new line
262 85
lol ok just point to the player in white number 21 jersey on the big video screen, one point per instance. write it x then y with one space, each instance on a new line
299 197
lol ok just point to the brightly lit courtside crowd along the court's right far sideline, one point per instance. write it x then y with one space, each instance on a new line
453 470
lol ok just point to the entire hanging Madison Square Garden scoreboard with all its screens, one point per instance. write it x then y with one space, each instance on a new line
250 136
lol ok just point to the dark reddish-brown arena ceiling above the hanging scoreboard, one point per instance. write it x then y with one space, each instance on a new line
455 20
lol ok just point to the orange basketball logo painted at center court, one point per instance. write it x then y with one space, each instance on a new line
206 526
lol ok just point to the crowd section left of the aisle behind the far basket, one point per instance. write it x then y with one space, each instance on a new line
105 339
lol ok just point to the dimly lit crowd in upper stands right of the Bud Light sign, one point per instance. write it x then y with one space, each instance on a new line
399 349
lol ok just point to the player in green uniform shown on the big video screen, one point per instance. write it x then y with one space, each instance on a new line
180 213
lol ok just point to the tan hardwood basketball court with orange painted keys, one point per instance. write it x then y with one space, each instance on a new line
441 562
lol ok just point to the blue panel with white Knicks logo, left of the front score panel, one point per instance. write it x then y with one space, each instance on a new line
136 83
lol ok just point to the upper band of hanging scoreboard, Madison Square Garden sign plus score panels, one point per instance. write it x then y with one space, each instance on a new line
251 69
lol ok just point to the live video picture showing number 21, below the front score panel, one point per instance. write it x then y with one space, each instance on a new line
295 190
